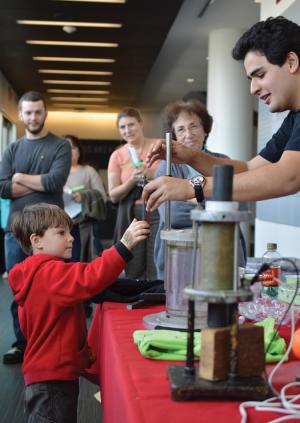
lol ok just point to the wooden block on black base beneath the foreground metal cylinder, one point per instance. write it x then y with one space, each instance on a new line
215 352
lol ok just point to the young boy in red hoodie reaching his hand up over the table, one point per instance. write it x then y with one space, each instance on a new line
50 293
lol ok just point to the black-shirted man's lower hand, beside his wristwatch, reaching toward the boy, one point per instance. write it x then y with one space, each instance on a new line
164 189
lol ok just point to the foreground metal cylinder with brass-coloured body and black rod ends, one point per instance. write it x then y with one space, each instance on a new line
218 281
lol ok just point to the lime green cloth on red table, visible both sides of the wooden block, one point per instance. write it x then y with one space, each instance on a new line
171 345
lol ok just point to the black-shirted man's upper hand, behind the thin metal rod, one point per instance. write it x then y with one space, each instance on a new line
180 152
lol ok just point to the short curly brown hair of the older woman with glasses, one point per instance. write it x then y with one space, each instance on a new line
172 111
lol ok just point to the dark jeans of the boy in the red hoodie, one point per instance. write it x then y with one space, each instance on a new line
52 401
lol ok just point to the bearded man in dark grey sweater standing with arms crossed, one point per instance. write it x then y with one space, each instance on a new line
34 169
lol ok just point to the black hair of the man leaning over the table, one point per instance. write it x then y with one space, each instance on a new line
273 38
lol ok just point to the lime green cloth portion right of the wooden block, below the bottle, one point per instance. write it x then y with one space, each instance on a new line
277 348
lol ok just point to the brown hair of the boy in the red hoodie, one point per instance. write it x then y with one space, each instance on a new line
36 219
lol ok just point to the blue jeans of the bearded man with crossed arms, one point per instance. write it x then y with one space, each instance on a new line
13 255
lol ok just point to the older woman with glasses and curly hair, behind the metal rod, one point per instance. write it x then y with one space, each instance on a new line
190 123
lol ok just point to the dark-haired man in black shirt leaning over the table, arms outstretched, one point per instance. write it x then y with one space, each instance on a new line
270 50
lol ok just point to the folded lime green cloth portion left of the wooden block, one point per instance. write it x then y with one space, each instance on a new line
165 344
